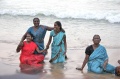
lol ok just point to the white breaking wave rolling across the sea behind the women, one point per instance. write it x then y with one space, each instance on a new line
111 16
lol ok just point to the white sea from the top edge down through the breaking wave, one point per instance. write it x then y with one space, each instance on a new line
78 9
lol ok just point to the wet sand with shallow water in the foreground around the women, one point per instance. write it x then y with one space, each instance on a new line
9 65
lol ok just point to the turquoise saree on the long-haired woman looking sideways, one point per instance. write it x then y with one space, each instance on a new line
57 47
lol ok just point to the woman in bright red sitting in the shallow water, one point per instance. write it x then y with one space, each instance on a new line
27 52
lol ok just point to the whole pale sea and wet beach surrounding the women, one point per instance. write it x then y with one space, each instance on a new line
81 19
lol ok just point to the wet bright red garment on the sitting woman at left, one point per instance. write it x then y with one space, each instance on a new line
27 56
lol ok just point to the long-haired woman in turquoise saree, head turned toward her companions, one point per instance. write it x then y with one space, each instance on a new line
59 45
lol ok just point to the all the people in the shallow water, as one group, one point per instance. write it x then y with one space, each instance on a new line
33 51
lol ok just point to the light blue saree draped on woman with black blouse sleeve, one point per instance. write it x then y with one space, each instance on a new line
97 59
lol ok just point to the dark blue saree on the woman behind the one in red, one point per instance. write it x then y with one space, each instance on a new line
38 36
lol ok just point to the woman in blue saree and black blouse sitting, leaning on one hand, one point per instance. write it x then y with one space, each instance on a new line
97 58
